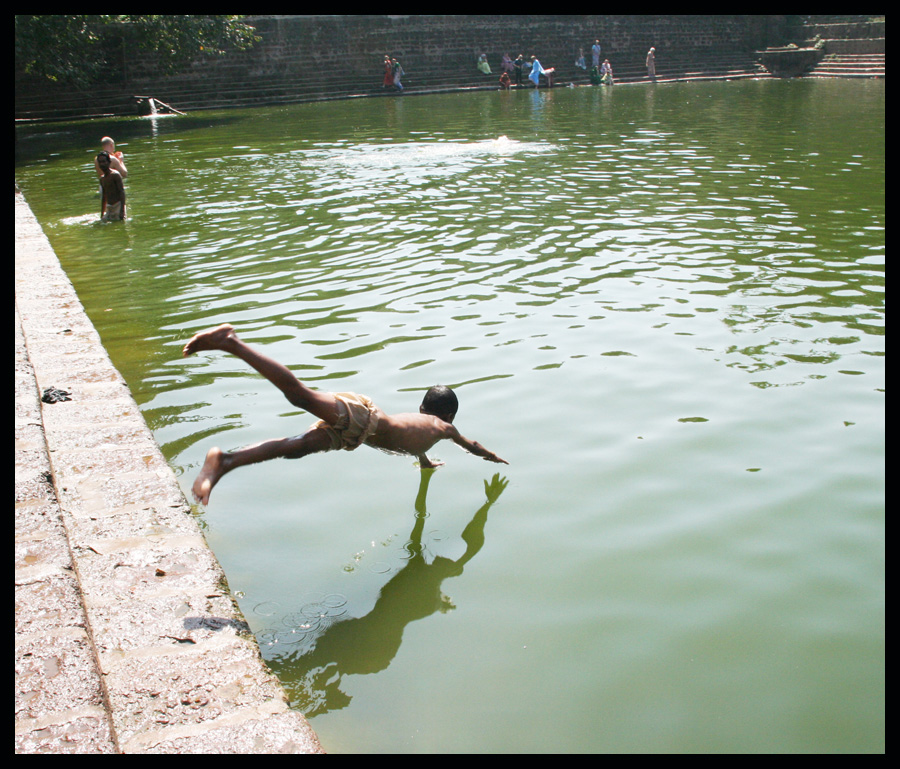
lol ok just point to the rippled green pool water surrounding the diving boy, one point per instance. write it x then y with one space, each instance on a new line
663 305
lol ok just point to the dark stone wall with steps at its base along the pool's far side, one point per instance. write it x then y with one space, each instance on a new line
341 57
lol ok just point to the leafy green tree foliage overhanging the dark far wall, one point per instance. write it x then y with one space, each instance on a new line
76 49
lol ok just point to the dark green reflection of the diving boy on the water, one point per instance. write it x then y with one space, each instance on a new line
361 645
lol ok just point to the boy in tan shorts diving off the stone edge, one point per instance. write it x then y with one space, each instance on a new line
346 419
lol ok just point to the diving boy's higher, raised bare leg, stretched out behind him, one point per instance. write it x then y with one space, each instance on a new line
321 404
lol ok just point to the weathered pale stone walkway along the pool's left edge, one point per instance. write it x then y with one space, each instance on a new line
127 638
